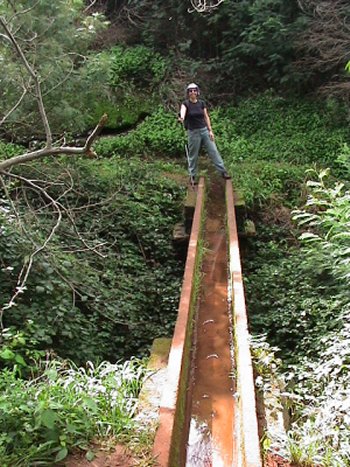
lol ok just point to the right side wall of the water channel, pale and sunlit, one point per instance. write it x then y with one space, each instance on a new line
247 432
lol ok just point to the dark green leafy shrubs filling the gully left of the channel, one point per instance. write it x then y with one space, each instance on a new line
112 294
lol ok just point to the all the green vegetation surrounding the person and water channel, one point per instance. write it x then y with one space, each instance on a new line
88 272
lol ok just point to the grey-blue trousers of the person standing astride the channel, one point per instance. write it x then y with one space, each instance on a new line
196 139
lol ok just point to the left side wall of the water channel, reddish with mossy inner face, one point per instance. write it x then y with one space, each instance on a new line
168 441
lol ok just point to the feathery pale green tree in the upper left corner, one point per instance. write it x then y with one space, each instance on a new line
42 44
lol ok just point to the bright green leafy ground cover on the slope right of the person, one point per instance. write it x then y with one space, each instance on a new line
267 127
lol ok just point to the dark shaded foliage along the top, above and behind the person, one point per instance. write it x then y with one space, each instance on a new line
293 45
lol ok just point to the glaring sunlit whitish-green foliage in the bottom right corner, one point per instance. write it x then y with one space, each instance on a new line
320 428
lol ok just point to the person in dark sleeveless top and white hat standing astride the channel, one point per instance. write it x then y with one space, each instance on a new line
195 118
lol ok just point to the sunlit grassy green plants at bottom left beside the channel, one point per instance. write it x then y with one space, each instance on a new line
43 419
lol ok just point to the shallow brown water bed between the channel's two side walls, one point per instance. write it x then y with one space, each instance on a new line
211 413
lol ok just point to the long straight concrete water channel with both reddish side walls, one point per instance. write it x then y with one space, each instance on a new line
207 415
